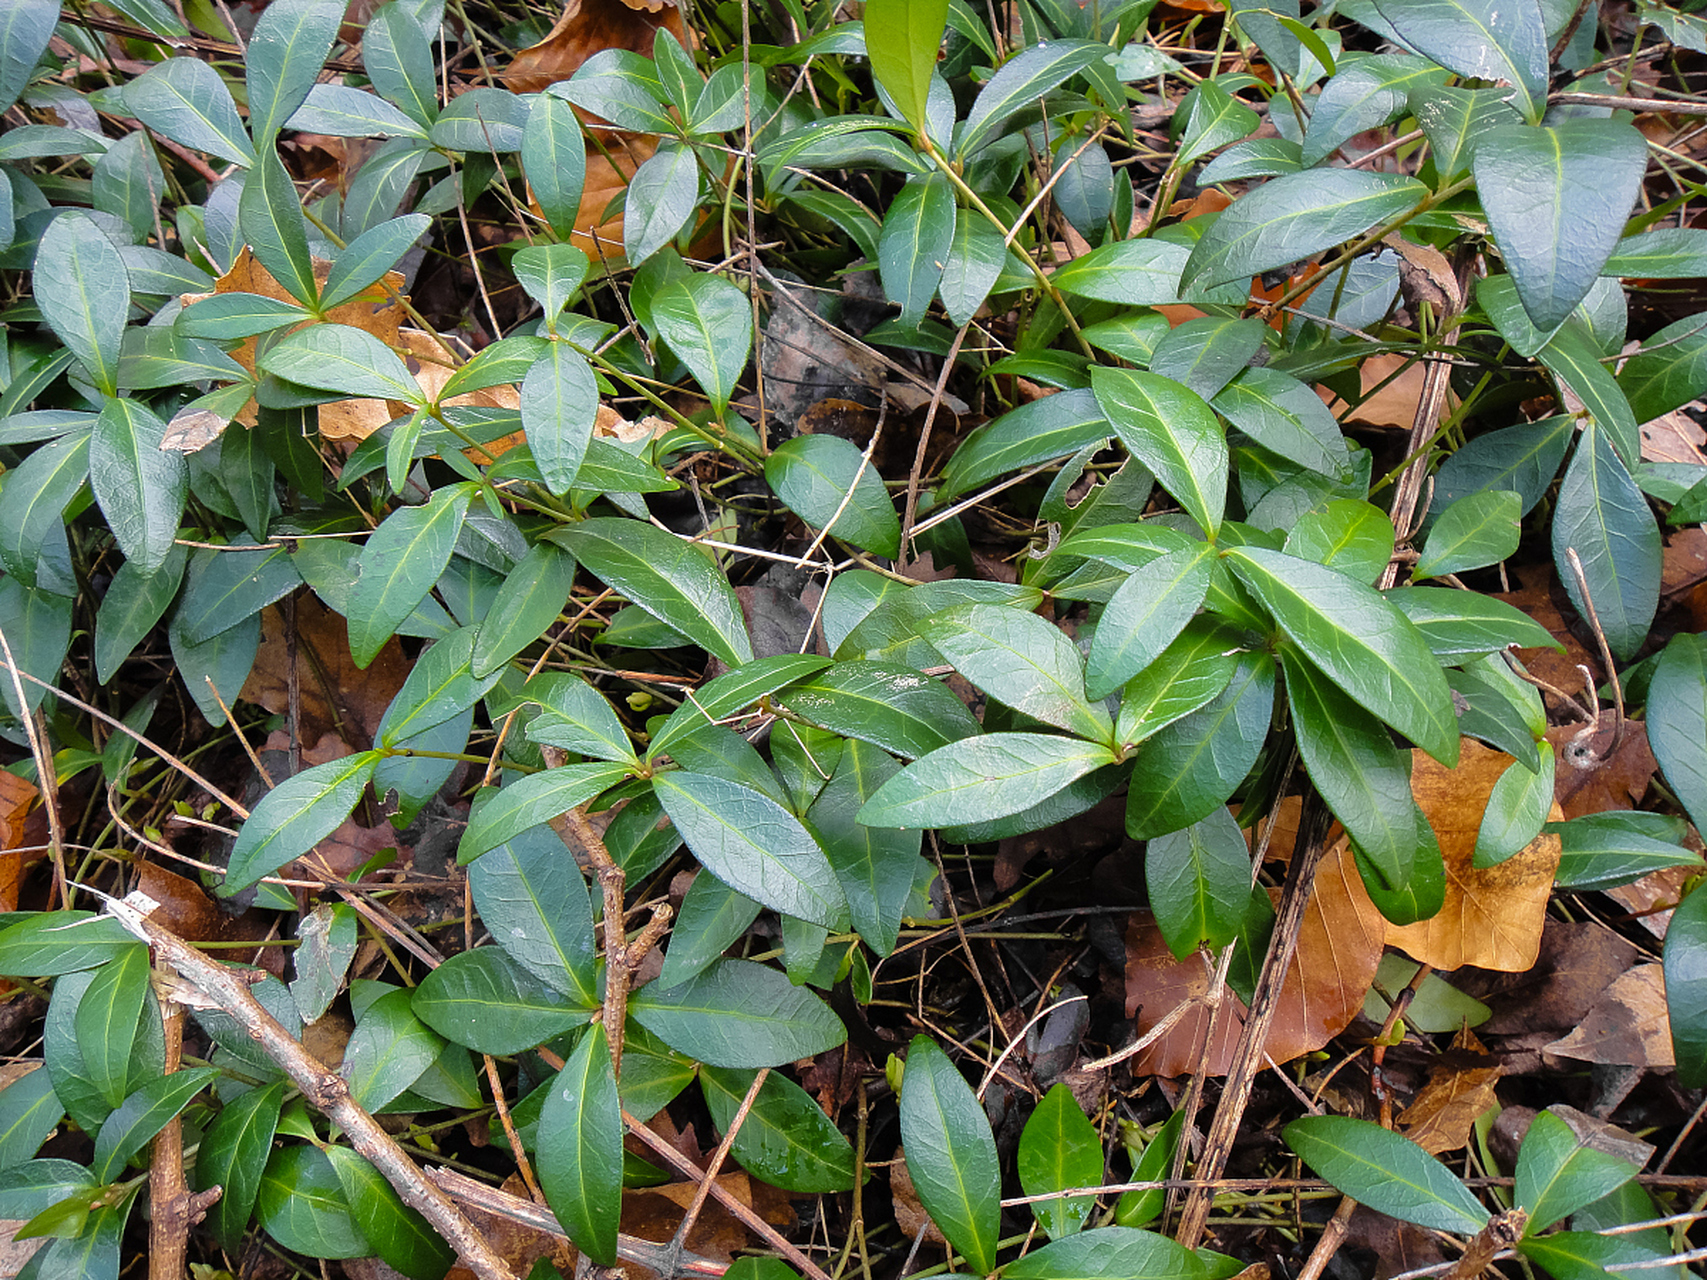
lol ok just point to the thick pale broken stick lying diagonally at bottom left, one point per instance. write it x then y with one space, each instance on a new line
323 1090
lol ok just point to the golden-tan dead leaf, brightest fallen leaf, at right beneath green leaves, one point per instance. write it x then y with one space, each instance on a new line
1493 916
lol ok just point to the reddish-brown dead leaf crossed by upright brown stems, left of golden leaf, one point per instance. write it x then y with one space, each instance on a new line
1339 950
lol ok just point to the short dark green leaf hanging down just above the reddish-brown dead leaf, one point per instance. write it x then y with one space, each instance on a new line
1199 881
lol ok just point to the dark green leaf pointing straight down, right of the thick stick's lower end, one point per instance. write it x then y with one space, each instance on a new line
581 1148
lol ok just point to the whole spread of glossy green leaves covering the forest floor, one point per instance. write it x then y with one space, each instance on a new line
1238 579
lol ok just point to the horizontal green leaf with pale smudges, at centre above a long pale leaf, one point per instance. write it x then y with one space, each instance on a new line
883 704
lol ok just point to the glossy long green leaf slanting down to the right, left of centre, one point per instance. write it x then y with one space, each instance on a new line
668 578
